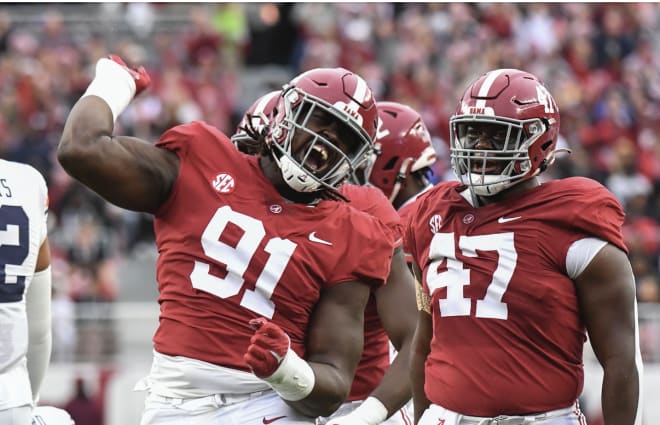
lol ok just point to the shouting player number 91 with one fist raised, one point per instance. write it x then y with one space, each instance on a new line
264 271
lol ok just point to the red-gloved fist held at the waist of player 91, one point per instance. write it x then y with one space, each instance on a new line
268 347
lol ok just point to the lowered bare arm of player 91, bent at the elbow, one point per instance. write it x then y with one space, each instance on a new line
334 347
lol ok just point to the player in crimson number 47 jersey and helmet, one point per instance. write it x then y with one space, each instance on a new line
516 273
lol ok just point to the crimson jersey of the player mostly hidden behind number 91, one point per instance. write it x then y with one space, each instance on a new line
376 353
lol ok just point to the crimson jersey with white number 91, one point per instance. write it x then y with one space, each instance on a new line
232 249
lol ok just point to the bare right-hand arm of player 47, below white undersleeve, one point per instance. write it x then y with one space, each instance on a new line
606 293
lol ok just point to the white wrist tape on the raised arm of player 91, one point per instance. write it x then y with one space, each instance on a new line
114 84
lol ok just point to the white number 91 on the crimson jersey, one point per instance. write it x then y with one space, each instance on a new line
237 258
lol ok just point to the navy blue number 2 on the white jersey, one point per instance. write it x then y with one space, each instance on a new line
14 249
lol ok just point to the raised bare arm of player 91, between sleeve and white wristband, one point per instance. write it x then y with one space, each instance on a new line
128 172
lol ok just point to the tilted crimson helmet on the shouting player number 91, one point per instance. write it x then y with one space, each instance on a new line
320 134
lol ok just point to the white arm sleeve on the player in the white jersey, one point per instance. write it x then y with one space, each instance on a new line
38 300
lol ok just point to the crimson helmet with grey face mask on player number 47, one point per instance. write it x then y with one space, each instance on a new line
504 131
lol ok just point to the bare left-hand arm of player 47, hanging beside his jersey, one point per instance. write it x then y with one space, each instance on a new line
421 347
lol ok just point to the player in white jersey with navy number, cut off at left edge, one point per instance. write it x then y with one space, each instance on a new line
25 290
